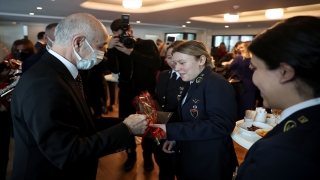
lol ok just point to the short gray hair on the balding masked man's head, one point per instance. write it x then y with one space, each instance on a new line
76 24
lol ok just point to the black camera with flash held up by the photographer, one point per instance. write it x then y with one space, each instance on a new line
125 38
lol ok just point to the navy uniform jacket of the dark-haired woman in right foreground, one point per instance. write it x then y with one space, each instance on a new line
289 151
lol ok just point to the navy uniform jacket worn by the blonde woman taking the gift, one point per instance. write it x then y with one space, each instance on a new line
208 117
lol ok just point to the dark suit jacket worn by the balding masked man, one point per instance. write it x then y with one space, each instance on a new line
55 136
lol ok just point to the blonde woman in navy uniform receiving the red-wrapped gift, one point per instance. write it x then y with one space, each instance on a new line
201 140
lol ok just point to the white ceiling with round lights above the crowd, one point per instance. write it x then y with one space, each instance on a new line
159 14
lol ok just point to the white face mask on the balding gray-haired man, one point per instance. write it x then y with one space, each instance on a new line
95 59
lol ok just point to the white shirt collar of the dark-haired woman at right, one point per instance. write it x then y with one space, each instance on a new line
290 110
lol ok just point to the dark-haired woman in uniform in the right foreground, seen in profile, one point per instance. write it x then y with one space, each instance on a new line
286 63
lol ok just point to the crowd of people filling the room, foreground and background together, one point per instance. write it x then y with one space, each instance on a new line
64 74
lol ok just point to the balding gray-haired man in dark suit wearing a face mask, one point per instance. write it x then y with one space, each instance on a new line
55 135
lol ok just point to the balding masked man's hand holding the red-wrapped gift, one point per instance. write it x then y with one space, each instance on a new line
136 123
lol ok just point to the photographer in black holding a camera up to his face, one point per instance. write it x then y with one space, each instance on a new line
137 66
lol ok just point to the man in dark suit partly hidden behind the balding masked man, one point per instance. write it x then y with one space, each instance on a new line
30 61
